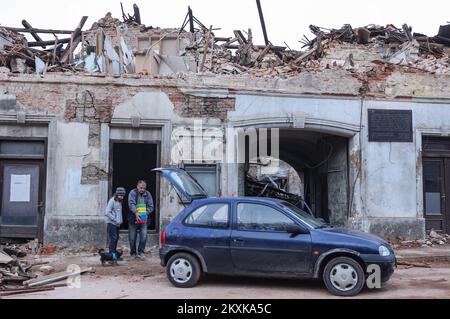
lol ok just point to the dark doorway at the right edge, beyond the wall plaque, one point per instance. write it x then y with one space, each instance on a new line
436 188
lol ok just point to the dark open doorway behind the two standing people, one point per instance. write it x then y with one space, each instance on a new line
133 162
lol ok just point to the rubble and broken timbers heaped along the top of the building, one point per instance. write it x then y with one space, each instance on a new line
115 50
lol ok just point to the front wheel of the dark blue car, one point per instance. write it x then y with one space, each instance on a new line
344 277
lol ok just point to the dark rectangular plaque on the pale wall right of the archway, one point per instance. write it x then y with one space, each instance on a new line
390 126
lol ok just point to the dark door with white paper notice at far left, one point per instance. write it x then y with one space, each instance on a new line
22 180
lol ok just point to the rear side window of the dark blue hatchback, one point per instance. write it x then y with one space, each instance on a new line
210 216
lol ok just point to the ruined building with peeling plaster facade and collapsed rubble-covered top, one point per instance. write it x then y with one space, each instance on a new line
362 117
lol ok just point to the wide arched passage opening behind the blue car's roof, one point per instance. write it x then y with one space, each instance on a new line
320 163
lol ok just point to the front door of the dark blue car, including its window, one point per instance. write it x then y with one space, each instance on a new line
260 243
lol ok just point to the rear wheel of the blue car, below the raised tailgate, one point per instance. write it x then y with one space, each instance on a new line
183 270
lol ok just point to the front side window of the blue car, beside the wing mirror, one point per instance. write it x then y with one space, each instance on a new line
255 217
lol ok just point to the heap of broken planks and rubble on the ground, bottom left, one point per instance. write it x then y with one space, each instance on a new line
21 276
